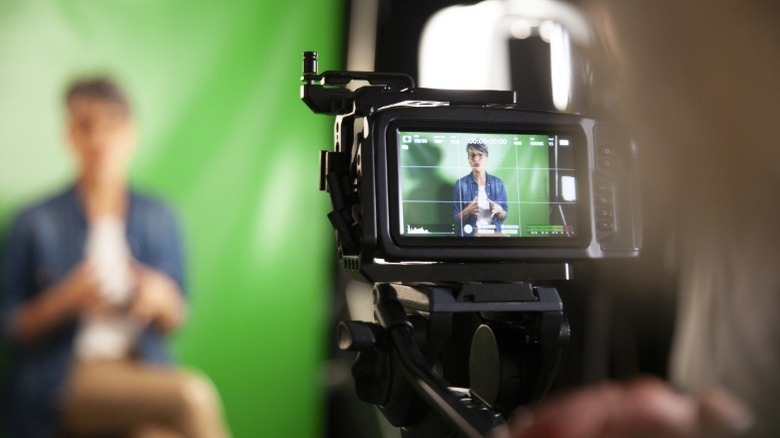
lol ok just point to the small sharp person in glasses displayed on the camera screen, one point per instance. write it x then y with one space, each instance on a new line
479 199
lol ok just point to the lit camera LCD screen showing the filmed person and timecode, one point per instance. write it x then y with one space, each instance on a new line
515 185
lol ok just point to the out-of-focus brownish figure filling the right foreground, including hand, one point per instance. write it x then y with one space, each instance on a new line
698 86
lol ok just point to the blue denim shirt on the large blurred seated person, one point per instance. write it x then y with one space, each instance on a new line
46 241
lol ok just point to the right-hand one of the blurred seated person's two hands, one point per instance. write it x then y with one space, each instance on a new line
157 299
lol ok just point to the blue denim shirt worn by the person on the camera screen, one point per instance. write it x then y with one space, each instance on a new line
464 192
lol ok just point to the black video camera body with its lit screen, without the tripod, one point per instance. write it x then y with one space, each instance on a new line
399 173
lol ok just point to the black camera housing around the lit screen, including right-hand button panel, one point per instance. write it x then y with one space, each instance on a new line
605 171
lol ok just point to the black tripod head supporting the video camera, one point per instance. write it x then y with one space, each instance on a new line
410 357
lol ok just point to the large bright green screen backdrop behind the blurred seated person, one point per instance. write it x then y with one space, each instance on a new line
225 139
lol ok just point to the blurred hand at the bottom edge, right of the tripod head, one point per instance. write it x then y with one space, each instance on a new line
644 408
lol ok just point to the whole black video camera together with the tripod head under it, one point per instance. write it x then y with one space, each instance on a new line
570 184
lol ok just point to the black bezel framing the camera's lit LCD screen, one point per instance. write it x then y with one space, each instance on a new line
397 246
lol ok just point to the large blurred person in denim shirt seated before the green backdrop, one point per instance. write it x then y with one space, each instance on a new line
92 283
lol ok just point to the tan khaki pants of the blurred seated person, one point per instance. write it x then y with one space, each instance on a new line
133 399
